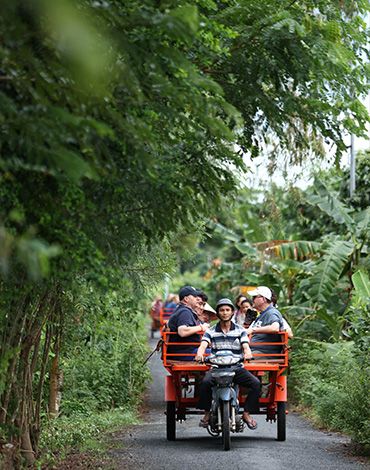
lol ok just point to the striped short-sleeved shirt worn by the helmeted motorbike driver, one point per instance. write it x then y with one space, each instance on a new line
230 341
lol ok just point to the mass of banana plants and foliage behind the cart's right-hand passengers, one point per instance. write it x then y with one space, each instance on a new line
314 275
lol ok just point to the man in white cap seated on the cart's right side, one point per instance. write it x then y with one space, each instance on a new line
269 321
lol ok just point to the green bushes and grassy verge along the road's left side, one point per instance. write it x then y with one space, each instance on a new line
103 376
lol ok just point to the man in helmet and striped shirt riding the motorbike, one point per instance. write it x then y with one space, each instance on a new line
227 336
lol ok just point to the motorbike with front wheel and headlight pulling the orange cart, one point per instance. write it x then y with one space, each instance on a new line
224 413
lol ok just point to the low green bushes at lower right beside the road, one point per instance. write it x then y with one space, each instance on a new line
330 379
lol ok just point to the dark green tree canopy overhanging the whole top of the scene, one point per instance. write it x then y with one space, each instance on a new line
126 100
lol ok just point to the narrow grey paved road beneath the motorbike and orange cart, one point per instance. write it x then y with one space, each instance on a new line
145 446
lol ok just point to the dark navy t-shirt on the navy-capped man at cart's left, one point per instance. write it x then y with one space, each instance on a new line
182 316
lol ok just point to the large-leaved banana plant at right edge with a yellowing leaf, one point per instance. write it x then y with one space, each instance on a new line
329 263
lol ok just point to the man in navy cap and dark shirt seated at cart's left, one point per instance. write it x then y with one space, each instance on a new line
185 323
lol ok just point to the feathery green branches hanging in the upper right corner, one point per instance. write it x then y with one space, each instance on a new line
284 72
